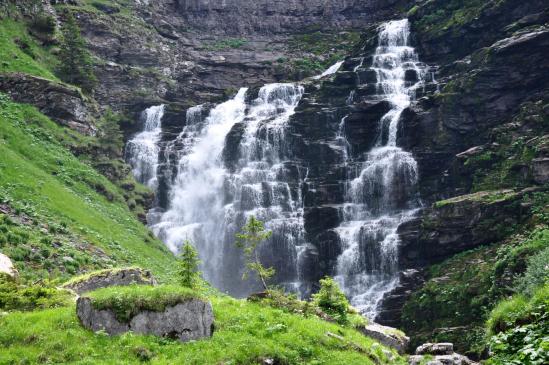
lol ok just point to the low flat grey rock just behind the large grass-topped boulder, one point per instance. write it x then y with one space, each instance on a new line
114 277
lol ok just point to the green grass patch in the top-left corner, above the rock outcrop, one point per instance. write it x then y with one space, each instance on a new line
19 52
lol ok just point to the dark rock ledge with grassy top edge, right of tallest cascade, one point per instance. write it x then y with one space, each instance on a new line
458 224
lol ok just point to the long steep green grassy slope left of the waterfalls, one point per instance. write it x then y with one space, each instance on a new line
42 179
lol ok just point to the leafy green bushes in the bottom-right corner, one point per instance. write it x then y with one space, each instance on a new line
518 329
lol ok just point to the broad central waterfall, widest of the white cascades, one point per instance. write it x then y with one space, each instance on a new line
233 164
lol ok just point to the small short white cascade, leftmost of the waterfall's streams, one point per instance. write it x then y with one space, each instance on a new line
142 151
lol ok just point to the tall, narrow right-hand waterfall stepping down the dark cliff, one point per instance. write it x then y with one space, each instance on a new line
380 191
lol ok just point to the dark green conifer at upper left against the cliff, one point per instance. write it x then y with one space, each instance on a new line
75 61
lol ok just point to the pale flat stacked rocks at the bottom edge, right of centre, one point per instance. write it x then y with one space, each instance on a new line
438 354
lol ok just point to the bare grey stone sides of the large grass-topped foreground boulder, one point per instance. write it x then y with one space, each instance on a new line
190 320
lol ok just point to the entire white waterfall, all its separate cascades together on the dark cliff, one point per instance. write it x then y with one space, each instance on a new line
237 159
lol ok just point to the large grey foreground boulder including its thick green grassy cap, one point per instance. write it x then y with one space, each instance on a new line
166 311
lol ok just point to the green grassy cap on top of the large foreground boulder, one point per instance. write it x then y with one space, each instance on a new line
127 301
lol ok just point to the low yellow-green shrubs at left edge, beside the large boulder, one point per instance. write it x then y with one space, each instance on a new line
15 296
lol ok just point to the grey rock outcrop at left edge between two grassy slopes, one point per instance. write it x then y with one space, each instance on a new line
62 103
